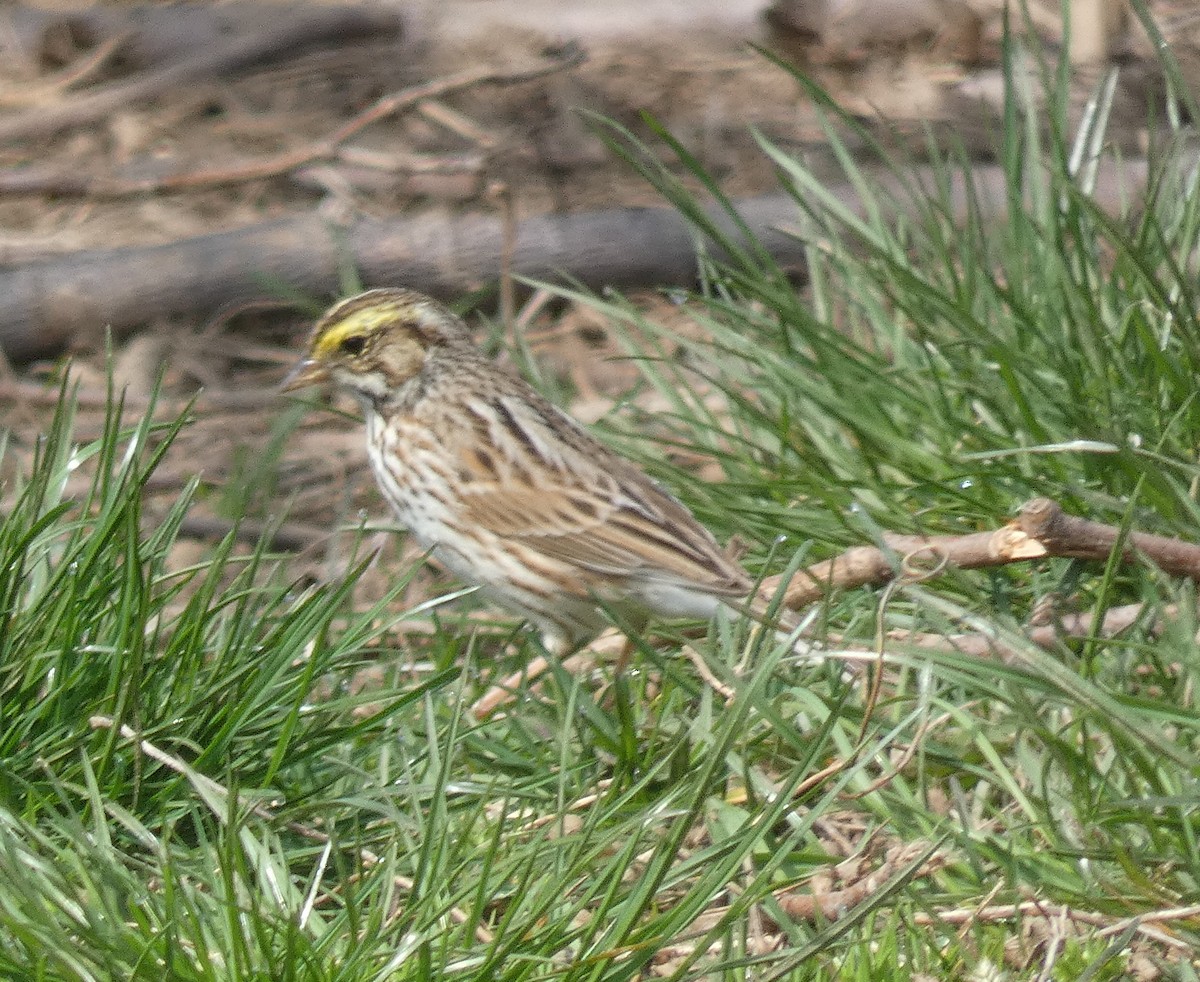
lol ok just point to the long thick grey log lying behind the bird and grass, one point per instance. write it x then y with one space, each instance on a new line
45 306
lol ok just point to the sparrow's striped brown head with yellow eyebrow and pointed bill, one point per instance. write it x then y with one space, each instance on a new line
373 344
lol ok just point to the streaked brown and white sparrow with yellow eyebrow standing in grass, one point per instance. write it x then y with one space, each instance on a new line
506 489
